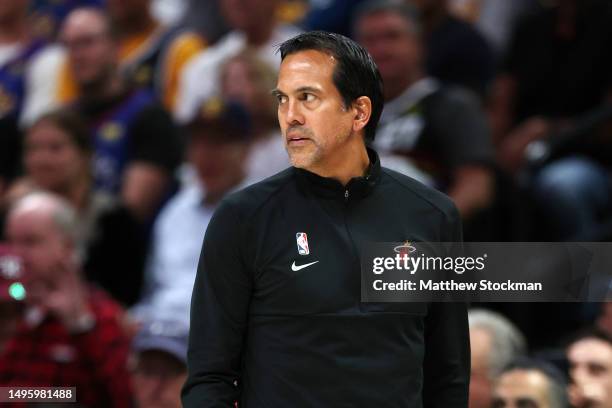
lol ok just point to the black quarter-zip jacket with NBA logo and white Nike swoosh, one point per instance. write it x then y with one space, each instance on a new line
295 336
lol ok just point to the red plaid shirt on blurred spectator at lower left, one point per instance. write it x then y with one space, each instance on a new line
94 362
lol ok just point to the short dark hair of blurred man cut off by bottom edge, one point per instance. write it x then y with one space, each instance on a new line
557 381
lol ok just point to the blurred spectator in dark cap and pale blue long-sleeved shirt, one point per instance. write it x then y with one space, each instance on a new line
218 147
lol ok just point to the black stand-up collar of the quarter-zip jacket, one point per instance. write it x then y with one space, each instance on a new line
332 188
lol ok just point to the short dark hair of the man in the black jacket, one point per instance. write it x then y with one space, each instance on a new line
355 74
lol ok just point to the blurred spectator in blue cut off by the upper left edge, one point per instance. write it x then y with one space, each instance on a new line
18 48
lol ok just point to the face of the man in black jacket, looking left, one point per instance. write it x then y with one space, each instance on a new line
314 121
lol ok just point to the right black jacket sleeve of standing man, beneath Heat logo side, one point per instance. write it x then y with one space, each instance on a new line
446 367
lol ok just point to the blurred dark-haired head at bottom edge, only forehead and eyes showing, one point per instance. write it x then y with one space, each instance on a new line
530 383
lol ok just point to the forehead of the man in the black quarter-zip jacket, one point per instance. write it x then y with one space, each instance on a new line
306 68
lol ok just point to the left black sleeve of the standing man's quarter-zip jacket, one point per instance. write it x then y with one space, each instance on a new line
219 314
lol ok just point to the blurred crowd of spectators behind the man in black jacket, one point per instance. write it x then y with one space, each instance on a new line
123 123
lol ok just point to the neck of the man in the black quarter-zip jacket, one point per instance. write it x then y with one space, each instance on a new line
343 170
